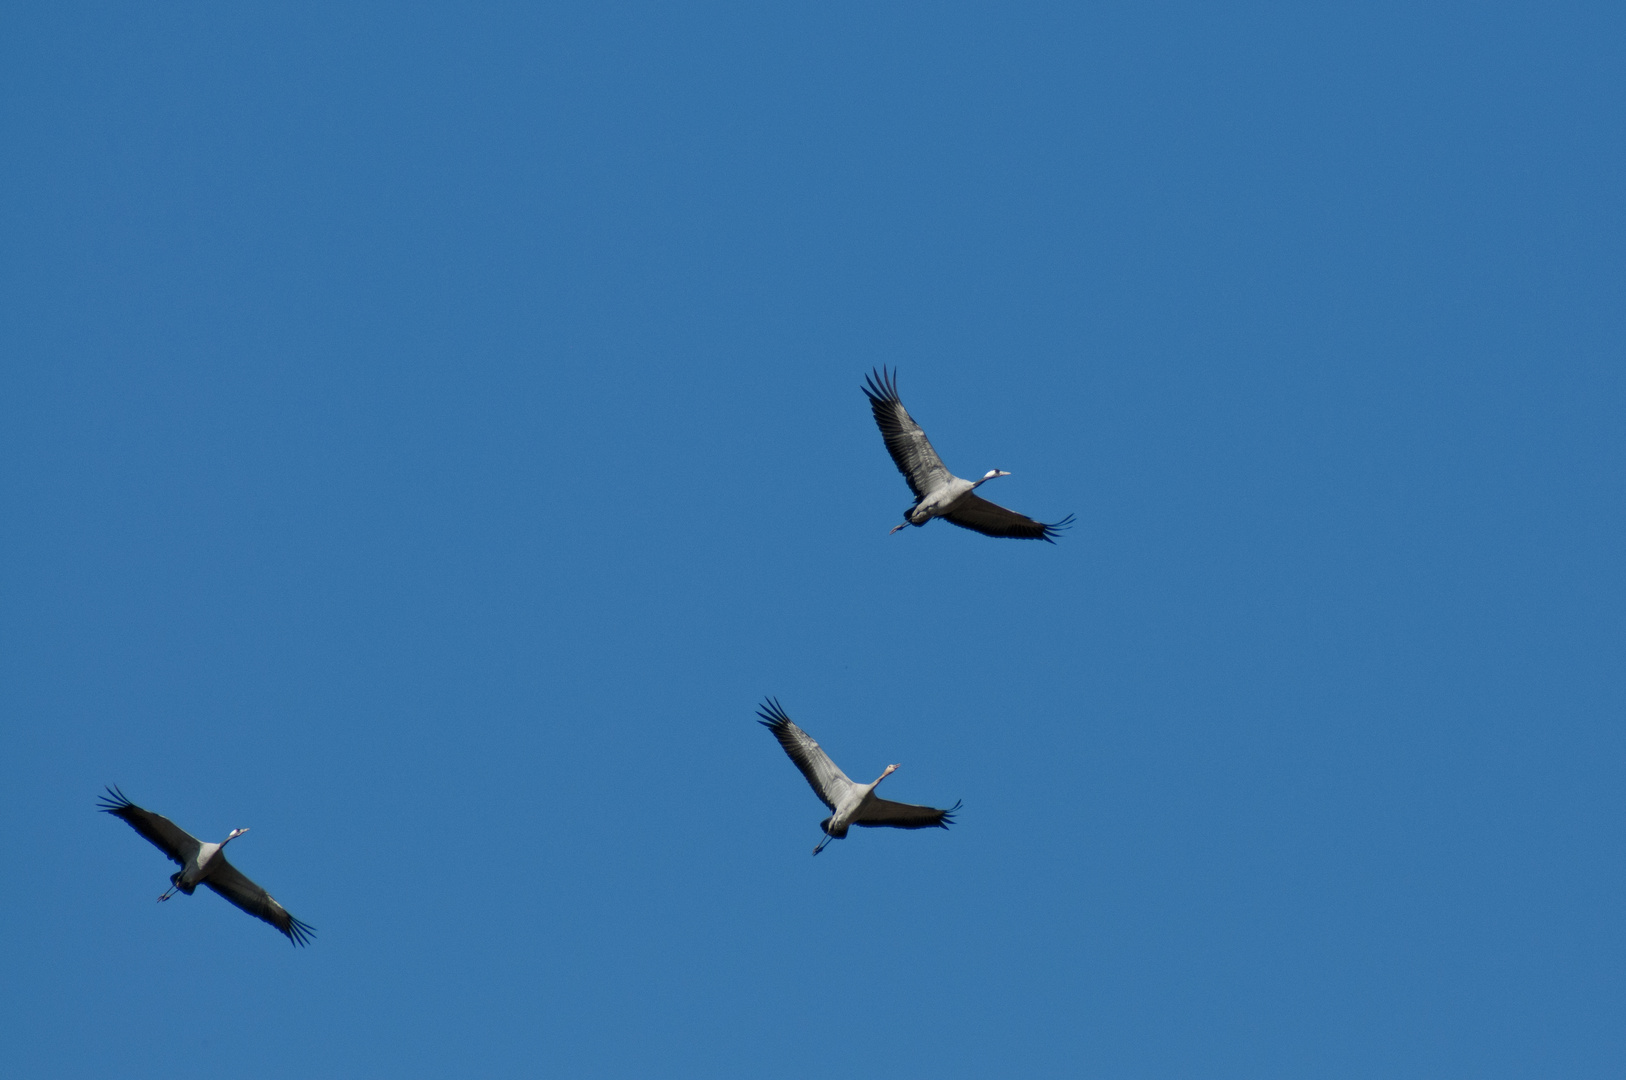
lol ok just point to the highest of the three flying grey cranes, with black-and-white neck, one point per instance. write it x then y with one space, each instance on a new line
941 494
